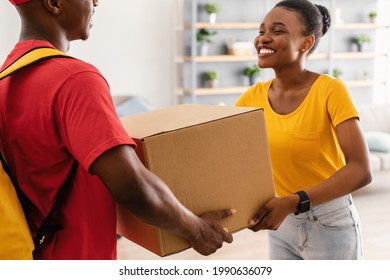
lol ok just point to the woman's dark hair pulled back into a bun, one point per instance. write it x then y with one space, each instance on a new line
315 18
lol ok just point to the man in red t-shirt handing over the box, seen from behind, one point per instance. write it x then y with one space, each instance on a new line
59 111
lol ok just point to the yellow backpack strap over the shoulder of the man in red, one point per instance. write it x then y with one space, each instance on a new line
31 57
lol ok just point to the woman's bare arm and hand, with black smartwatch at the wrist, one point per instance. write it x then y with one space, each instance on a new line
354 175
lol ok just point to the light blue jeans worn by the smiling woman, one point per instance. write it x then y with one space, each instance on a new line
330 231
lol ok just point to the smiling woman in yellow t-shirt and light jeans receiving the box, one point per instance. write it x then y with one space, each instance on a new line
319 156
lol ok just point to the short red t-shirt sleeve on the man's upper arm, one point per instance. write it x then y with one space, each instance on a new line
87 119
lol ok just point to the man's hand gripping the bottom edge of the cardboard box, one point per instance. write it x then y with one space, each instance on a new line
212 235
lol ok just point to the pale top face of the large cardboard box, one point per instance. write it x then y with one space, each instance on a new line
177 117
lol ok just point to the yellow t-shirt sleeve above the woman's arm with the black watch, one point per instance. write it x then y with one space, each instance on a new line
340 105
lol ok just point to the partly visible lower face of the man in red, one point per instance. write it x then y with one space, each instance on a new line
76 18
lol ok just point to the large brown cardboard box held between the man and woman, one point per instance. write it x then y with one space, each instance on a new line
211 157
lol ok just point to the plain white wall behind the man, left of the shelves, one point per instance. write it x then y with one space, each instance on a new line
131 43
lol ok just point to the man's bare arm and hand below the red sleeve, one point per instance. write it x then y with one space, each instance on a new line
150 199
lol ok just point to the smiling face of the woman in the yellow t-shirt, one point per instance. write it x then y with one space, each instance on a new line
280 41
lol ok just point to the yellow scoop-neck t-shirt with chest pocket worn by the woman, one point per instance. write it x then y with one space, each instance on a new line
303 144
